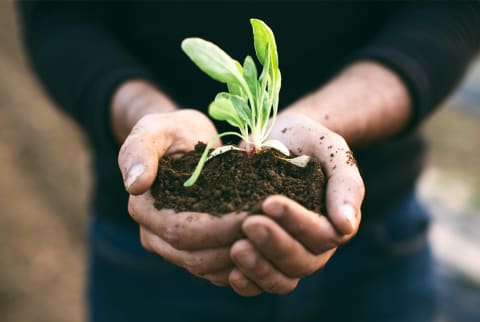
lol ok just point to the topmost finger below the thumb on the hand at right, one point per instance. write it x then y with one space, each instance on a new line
312 230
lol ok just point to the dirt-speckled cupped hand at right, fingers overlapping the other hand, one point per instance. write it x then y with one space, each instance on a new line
289 241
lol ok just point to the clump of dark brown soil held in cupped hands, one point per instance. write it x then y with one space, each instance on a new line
234 182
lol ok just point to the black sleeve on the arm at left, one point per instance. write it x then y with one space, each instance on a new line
74 52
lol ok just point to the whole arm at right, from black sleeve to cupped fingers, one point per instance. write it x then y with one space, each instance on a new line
389 87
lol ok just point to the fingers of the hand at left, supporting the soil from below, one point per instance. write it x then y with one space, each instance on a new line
198 242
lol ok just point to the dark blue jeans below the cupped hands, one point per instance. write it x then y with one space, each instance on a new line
384 274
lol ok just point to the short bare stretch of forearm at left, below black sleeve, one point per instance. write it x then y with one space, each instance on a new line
133 100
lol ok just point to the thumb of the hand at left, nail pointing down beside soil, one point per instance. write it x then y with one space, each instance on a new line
139 155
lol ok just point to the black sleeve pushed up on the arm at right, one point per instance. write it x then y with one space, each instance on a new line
429 45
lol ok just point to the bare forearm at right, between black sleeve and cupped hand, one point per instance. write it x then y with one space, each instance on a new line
366 102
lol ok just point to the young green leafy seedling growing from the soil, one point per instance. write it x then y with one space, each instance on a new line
251 103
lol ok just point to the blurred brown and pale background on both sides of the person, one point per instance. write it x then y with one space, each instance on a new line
44 187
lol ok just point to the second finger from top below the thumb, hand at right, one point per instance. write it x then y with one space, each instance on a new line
279 248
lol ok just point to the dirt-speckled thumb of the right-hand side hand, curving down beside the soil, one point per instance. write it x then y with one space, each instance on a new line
345 188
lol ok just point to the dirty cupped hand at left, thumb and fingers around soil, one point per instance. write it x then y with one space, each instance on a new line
197 242
